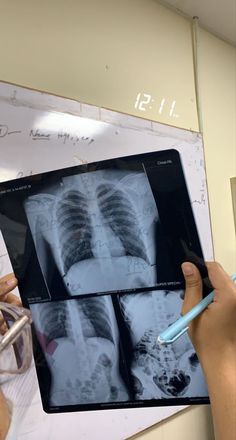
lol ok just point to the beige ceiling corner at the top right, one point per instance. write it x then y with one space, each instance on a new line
216 16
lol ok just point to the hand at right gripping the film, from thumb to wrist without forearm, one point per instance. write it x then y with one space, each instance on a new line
213 332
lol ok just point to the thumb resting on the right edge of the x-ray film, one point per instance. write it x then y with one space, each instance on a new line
193 286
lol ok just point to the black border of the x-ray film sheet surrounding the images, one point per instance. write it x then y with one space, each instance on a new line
154 163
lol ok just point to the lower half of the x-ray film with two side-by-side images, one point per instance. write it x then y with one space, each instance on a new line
104 349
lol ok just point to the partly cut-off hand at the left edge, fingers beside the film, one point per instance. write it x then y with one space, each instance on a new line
7 284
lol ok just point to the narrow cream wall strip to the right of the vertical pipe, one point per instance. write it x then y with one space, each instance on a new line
218 96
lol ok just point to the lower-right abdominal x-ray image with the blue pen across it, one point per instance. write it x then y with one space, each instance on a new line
160 371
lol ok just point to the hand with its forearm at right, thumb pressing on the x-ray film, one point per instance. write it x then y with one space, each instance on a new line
213 334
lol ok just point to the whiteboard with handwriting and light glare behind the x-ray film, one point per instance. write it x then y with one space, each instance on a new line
41 132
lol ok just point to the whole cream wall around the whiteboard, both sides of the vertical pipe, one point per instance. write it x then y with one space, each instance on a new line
106 51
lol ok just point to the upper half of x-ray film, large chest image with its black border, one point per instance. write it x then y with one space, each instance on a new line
114 226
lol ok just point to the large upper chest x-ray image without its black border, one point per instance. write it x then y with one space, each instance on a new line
95 231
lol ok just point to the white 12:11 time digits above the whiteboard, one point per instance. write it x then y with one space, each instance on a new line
145 102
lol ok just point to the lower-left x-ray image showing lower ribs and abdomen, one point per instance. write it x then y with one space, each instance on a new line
82 351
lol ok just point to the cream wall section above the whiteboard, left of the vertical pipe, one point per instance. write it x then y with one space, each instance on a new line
101 51
